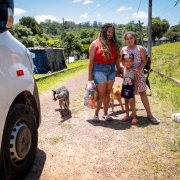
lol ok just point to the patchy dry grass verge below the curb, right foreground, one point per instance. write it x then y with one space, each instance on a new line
158 152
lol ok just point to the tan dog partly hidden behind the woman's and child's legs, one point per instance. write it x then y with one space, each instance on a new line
116 95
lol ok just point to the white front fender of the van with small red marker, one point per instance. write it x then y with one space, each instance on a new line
18 70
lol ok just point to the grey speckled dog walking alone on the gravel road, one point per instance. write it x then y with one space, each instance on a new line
62 94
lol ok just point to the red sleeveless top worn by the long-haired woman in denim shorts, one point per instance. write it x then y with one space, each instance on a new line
99 59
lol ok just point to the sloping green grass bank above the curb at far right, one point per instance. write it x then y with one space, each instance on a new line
166 59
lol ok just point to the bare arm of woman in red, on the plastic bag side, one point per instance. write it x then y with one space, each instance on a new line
92 50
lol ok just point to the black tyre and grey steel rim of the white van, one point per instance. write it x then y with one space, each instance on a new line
19 141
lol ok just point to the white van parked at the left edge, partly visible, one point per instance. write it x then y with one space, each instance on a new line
19 102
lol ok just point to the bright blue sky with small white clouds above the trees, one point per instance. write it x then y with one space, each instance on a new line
79 11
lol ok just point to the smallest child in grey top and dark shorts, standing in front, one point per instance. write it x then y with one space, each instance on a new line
129 87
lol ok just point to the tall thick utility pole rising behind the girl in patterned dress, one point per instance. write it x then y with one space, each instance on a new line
150 28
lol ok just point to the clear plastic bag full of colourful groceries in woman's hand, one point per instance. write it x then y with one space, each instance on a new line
90 95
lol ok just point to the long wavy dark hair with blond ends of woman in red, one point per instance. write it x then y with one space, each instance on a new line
104 42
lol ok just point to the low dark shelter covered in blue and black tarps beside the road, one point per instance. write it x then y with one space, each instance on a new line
47 59
